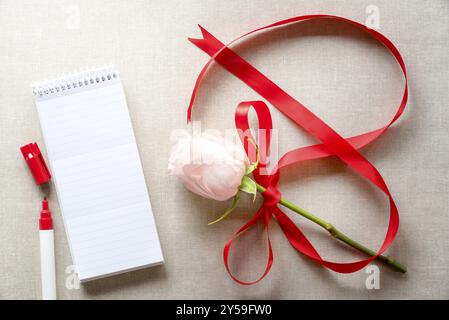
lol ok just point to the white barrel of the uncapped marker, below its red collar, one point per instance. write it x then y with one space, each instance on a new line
48 270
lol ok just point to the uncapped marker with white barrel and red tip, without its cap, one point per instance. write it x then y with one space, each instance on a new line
47 249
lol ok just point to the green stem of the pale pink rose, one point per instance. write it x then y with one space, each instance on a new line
338 234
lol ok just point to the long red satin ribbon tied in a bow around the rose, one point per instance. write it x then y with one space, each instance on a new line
333 144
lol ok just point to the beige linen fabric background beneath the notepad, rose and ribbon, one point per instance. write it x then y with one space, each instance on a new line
337 71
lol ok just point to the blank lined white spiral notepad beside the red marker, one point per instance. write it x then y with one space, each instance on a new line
98 175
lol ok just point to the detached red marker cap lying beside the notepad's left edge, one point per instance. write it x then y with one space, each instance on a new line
33 157
